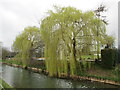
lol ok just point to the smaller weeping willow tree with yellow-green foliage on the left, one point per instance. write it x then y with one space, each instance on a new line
26 43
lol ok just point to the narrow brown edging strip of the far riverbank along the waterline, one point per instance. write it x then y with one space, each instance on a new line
64 76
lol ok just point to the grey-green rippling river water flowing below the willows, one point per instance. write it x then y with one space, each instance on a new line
21 78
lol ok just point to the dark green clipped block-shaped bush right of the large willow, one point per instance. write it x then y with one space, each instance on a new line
109 57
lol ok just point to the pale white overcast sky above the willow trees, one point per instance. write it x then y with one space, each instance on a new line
15 15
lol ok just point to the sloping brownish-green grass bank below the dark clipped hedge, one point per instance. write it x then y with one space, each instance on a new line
101 73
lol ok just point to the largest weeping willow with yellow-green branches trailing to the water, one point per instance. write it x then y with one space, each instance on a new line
68 34
